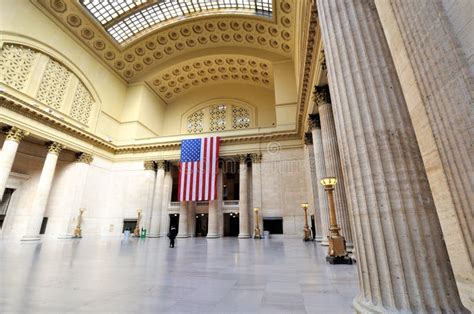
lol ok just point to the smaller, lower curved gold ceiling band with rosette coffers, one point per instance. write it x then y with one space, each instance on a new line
182 77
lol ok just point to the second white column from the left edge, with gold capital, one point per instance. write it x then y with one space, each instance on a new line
42 193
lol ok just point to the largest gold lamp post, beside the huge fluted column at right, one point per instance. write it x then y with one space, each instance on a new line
337 253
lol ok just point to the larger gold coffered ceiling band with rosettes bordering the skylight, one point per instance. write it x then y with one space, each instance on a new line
218 32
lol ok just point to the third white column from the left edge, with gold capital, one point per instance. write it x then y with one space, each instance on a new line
81 170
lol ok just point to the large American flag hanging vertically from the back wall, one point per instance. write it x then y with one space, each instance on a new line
198 169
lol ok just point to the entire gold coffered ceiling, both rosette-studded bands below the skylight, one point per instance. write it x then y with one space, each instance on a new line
151 48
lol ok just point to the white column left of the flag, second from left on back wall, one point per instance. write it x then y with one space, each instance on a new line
156 215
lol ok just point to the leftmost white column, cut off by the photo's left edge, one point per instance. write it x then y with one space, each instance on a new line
7 155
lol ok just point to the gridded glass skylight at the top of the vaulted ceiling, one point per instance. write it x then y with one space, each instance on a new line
123 19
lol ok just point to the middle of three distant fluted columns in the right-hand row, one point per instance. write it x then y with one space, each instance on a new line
320 172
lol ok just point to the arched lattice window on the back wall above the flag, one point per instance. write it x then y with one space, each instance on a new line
219 116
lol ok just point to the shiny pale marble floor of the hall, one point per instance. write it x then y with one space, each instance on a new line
199 276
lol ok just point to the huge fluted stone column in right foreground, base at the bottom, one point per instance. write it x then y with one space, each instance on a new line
402 259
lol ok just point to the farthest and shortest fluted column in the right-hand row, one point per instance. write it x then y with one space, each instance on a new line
312 184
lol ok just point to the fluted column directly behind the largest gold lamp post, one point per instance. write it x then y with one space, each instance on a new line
333 161
